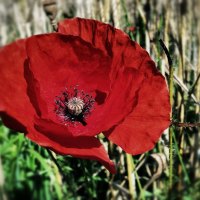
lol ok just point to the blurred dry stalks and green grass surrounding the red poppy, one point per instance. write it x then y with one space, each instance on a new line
28 171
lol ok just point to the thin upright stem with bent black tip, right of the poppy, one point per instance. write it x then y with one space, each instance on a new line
171 92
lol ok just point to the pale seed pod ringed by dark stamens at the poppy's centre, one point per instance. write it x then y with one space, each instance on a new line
73 106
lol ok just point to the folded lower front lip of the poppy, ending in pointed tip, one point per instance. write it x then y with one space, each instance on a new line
81 147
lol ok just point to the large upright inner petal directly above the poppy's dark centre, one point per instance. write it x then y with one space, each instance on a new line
69 62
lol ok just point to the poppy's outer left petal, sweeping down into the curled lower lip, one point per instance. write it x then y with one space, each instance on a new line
18 113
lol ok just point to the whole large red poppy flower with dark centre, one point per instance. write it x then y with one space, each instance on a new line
62 89
